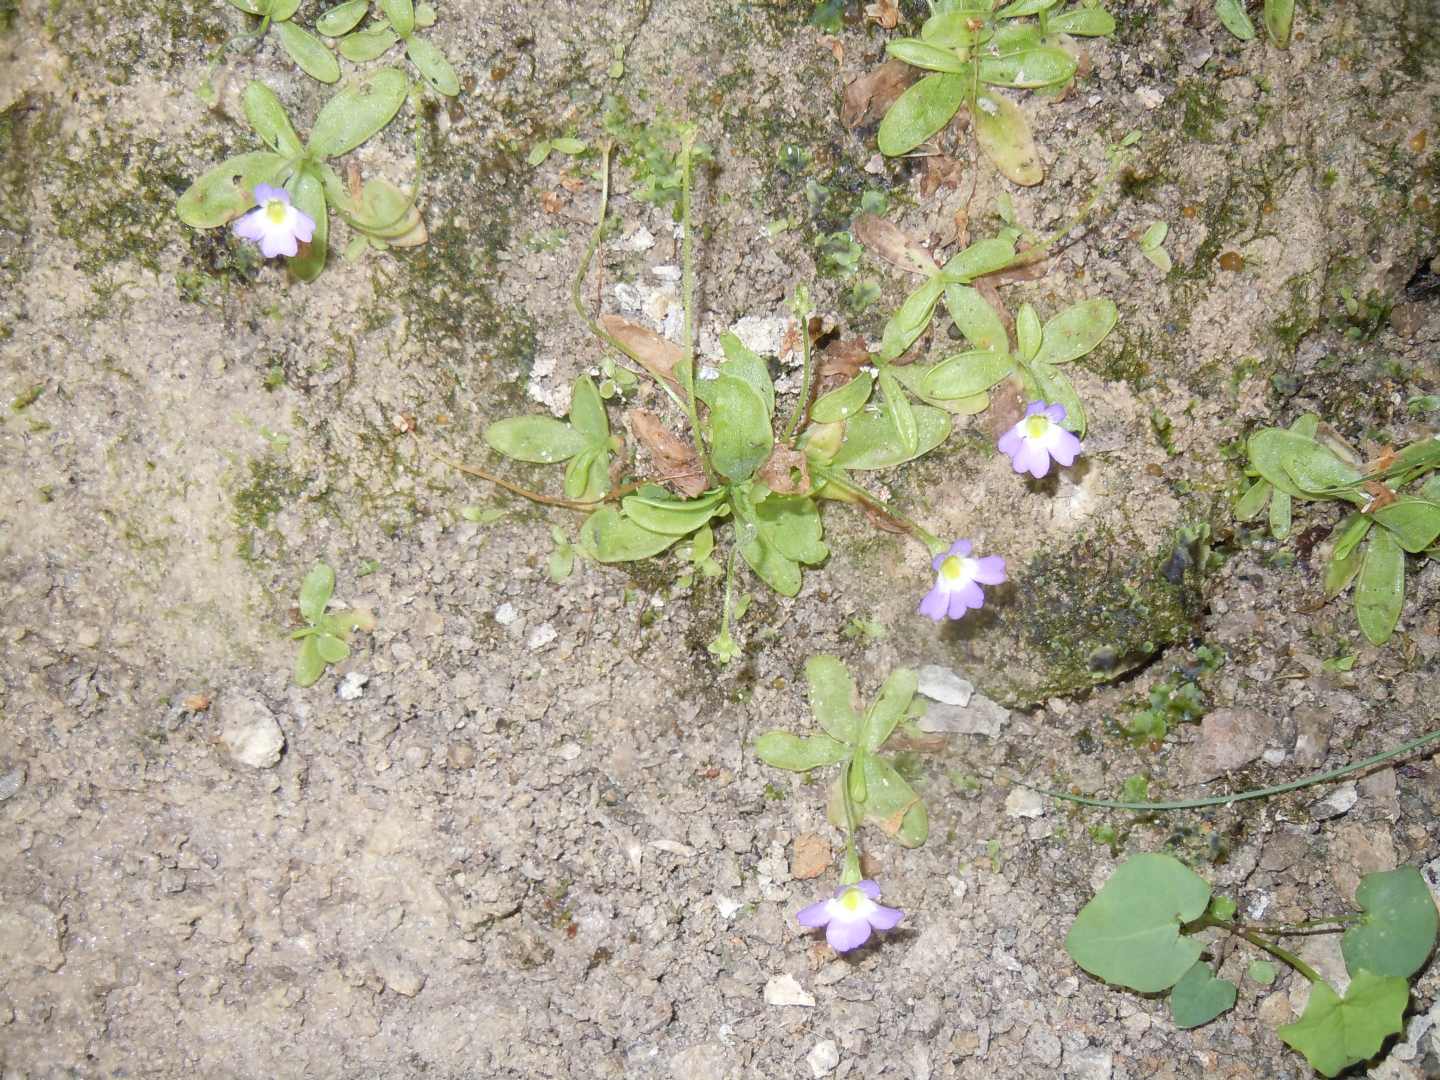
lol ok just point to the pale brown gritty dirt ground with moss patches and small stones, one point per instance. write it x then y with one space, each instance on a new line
522 830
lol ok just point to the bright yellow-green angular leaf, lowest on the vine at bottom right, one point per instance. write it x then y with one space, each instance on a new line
1336 1033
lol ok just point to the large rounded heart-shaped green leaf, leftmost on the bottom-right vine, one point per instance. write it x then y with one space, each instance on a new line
1130 934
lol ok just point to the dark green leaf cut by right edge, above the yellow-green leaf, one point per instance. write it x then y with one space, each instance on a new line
1399 931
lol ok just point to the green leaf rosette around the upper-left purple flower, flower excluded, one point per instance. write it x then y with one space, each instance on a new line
378 212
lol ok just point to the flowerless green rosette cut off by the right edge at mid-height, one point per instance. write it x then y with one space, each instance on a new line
1311 462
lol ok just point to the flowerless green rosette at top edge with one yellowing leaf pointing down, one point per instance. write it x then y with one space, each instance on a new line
970 50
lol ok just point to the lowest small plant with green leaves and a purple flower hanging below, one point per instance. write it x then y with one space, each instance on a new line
868 791
